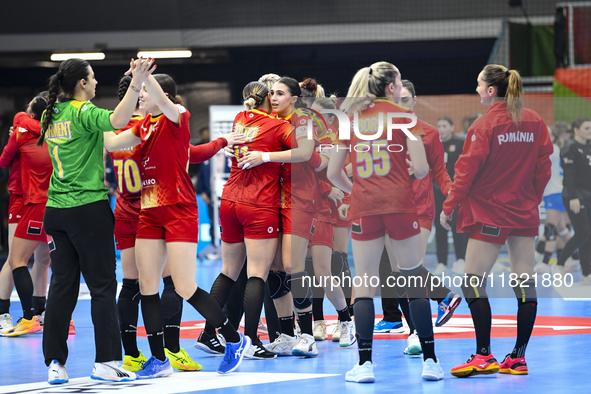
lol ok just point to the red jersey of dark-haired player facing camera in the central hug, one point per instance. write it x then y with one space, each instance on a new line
299 184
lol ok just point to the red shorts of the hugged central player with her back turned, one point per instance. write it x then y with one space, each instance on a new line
239 221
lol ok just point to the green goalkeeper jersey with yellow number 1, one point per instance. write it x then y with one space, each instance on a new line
75 140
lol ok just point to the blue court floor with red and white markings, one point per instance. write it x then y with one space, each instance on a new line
557 356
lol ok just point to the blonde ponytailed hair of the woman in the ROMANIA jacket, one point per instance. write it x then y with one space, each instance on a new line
509 87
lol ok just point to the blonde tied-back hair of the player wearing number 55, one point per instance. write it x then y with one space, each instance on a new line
368 84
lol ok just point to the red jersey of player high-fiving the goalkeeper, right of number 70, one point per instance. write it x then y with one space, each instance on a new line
165 158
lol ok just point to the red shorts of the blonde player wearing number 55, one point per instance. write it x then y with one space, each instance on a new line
399 226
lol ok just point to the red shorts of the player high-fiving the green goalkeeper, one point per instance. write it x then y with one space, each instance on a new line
173 223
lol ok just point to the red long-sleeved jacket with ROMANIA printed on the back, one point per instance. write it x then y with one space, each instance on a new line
502 172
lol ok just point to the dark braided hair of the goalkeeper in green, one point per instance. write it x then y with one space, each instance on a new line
64 81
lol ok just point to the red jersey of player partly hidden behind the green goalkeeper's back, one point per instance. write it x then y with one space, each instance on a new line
36 165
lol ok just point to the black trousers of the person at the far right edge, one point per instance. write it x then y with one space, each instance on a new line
582 239
